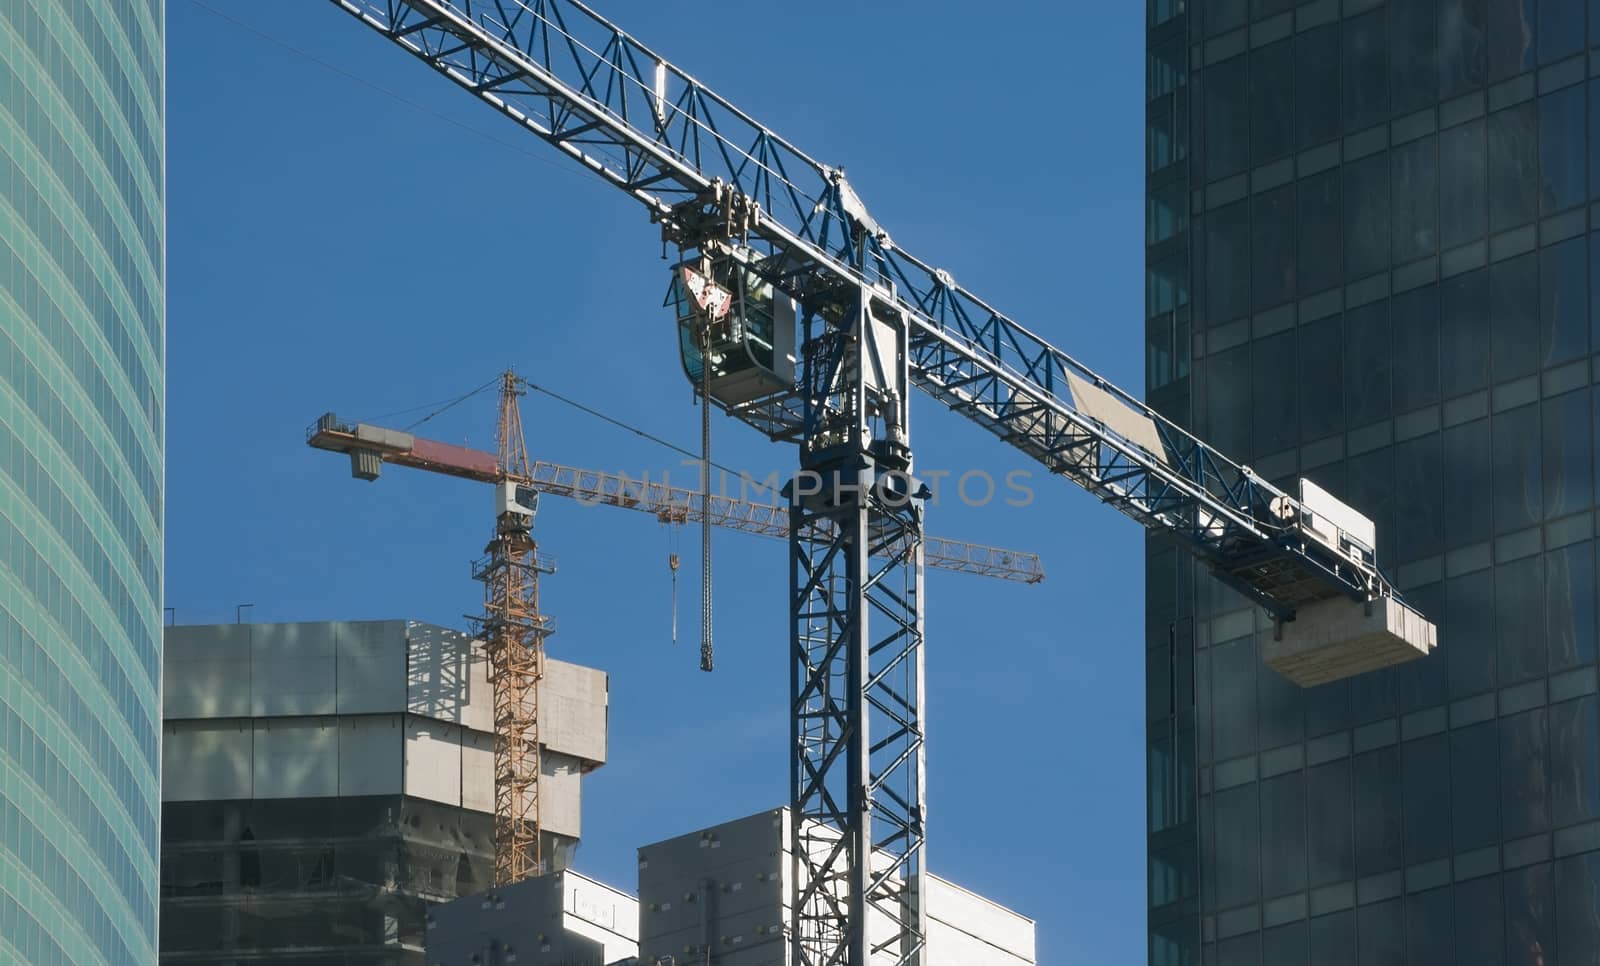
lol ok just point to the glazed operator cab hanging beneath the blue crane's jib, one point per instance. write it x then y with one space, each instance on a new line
737 321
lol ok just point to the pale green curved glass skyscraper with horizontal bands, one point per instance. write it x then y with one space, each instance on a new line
82 394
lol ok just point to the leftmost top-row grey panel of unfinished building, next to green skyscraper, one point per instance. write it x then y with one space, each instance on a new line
206 673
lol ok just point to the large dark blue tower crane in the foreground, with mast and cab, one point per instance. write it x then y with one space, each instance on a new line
799 316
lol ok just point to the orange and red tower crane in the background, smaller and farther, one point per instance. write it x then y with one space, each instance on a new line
513 626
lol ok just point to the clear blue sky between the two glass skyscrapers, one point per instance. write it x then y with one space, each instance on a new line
351 233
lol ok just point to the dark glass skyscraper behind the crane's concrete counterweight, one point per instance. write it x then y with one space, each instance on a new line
1370 263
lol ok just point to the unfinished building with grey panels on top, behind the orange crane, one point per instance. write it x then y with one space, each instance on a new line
326 783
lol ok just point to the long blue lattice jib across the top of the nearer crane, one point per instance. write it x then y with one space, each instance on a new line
710 172
